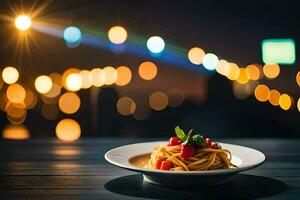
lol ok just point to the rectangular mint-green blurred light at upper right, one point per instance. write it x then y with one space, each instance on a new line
280 51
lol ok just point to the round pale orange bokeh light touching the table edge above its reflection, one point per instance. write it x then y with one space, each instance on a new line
68 130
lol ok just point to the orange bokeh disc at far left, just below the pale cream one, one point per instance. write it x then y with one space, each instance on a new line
16 93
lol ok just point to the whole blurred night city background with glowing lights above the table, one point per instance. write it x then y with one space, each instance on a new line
72 69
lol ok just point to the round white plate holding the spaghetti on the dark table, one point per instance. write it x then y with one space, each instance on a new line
243 157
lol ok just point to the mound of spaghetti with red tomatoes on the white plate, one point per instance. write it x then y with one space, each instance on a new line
195 155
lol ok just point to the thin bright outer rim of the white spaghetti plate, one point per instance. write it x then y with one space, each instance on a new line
200 173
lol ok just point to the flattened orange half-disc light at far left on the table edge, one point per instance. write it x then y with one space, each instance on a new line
15 132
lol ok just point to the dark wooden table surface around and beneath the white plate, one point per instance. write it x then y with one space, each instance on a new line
49 169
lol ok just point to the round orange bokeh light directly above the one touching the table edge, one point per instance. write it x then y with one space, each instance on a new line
69 103
